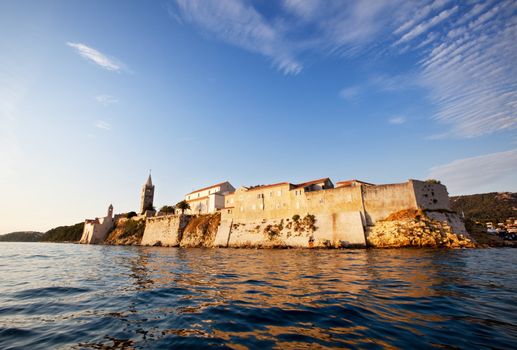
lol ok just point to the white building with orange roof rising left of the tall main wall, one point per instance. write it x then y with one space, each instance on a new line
208 199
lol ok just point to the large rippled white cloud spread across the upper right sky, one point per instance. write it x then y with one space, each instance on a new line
466 50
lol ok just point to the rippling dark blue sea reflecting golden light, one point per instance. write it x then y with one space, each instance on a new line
100 297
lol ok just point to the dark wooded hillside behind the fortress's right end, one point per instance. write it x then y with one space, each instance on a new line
486 206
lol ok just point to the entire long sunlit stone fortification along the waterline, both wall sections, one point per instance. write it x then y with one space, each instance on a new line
283 216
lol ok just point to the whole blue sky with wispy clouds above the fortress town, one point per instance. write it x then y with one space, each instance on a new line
94 94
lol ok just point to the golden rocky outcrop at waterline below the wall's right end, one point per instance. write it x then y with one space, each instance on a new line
414 228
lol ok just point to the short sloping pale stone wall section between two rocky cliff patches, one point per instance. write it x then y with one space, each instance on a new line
164 230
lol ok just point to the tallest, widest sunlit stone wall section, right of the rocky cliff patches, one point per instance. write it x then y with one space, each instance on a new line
328 217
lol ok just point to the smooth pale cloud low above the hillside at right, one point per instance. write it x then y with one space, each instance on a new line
486 173
